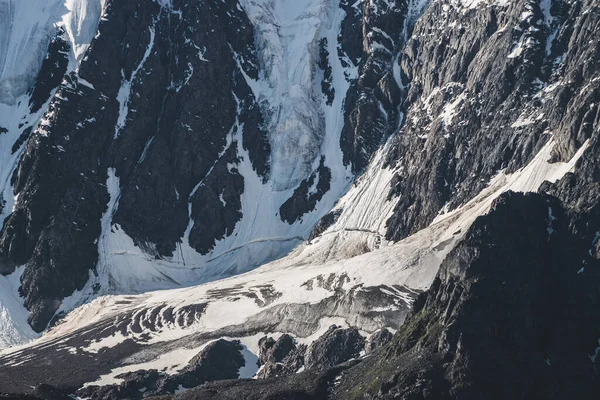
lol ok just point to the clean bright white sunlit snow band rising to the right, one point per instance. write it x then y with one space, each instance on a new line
412 262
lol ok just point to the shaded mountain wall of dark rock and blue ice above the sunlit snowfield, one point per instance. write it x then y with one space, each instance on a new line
163 133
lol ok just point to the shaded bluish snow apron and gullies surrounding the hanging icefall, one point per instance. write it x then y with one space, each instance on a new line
125 268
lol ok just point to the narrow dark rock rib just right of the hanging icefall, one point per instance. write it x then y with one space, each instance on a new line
371 106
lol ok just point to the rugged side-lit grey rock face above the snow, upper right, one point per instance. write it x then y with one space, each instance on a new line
507 75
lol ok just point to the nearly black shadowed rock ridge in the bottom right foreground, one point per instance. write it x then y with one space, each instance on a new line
492 301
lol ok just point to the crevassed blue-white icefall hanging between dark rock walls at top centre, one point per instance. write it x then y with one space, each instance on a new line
287 32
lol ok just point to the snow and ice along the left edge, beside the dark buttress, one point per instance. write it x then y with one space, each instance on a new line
26 28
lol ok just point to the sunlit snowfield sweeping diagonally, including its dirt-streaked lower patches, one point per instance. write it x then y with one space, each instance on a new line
309 276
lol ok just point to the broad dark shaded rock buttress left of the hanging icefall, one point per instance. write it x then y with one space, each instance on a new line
163 112
